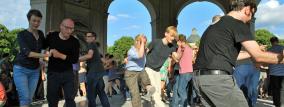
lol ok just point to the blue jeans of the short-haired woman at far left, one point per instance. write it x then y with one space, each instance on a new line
26 82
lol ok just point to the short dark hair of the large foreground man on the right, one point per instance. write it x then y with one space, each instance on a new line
237 5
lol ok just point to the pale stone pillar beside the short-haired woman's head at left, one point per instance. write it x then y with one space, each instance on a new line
40 5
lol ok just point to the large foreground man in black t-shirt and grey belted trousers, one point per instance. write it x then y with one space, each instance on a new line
219 48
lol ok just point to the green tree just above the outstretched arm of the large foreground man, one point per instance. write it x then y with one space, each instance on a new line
263 36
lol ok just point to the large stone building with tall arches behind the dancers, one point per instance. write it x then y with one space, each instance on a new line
93 14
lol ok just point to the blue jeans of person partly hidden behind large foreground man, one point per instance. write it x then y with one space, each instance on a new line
247 78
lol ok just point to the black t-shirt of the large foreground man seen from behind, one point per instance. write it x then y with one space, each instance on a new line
221 44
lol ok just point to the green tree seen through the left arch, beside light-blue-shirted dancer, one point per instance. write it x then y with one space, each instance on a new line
120 47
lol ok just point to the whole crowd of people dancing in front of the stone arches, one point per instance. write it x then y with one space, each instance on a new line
229 69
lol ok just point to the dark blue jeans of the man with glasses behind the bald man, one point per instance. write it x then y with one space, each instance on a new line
95 86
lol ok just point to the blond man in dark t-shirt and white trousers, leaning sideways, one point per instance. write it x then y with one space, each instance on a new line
159 51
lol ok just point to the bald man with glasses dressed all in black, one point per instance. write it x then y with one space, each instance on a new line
65 52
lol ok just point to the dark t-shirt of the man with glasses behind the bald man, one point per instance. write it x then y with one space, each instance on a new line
95 64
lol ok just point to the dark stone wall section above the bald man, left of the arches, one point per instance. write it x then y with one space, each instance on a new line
89 15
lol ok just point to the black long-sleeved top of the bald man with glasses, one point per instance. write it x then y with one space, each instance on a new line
69 47
